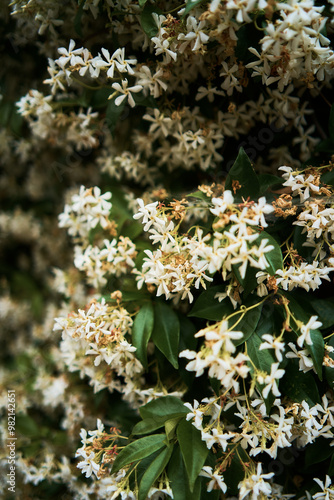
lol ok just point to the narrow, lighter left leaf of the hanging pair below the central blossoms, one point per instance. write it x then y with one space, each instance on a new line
142 331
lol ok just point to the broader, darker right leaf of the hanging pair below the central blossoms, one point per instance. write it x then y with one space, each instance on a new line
166 332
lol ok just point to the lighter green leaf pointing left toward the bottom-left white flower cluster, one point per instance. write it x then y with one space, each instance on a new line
137 450
